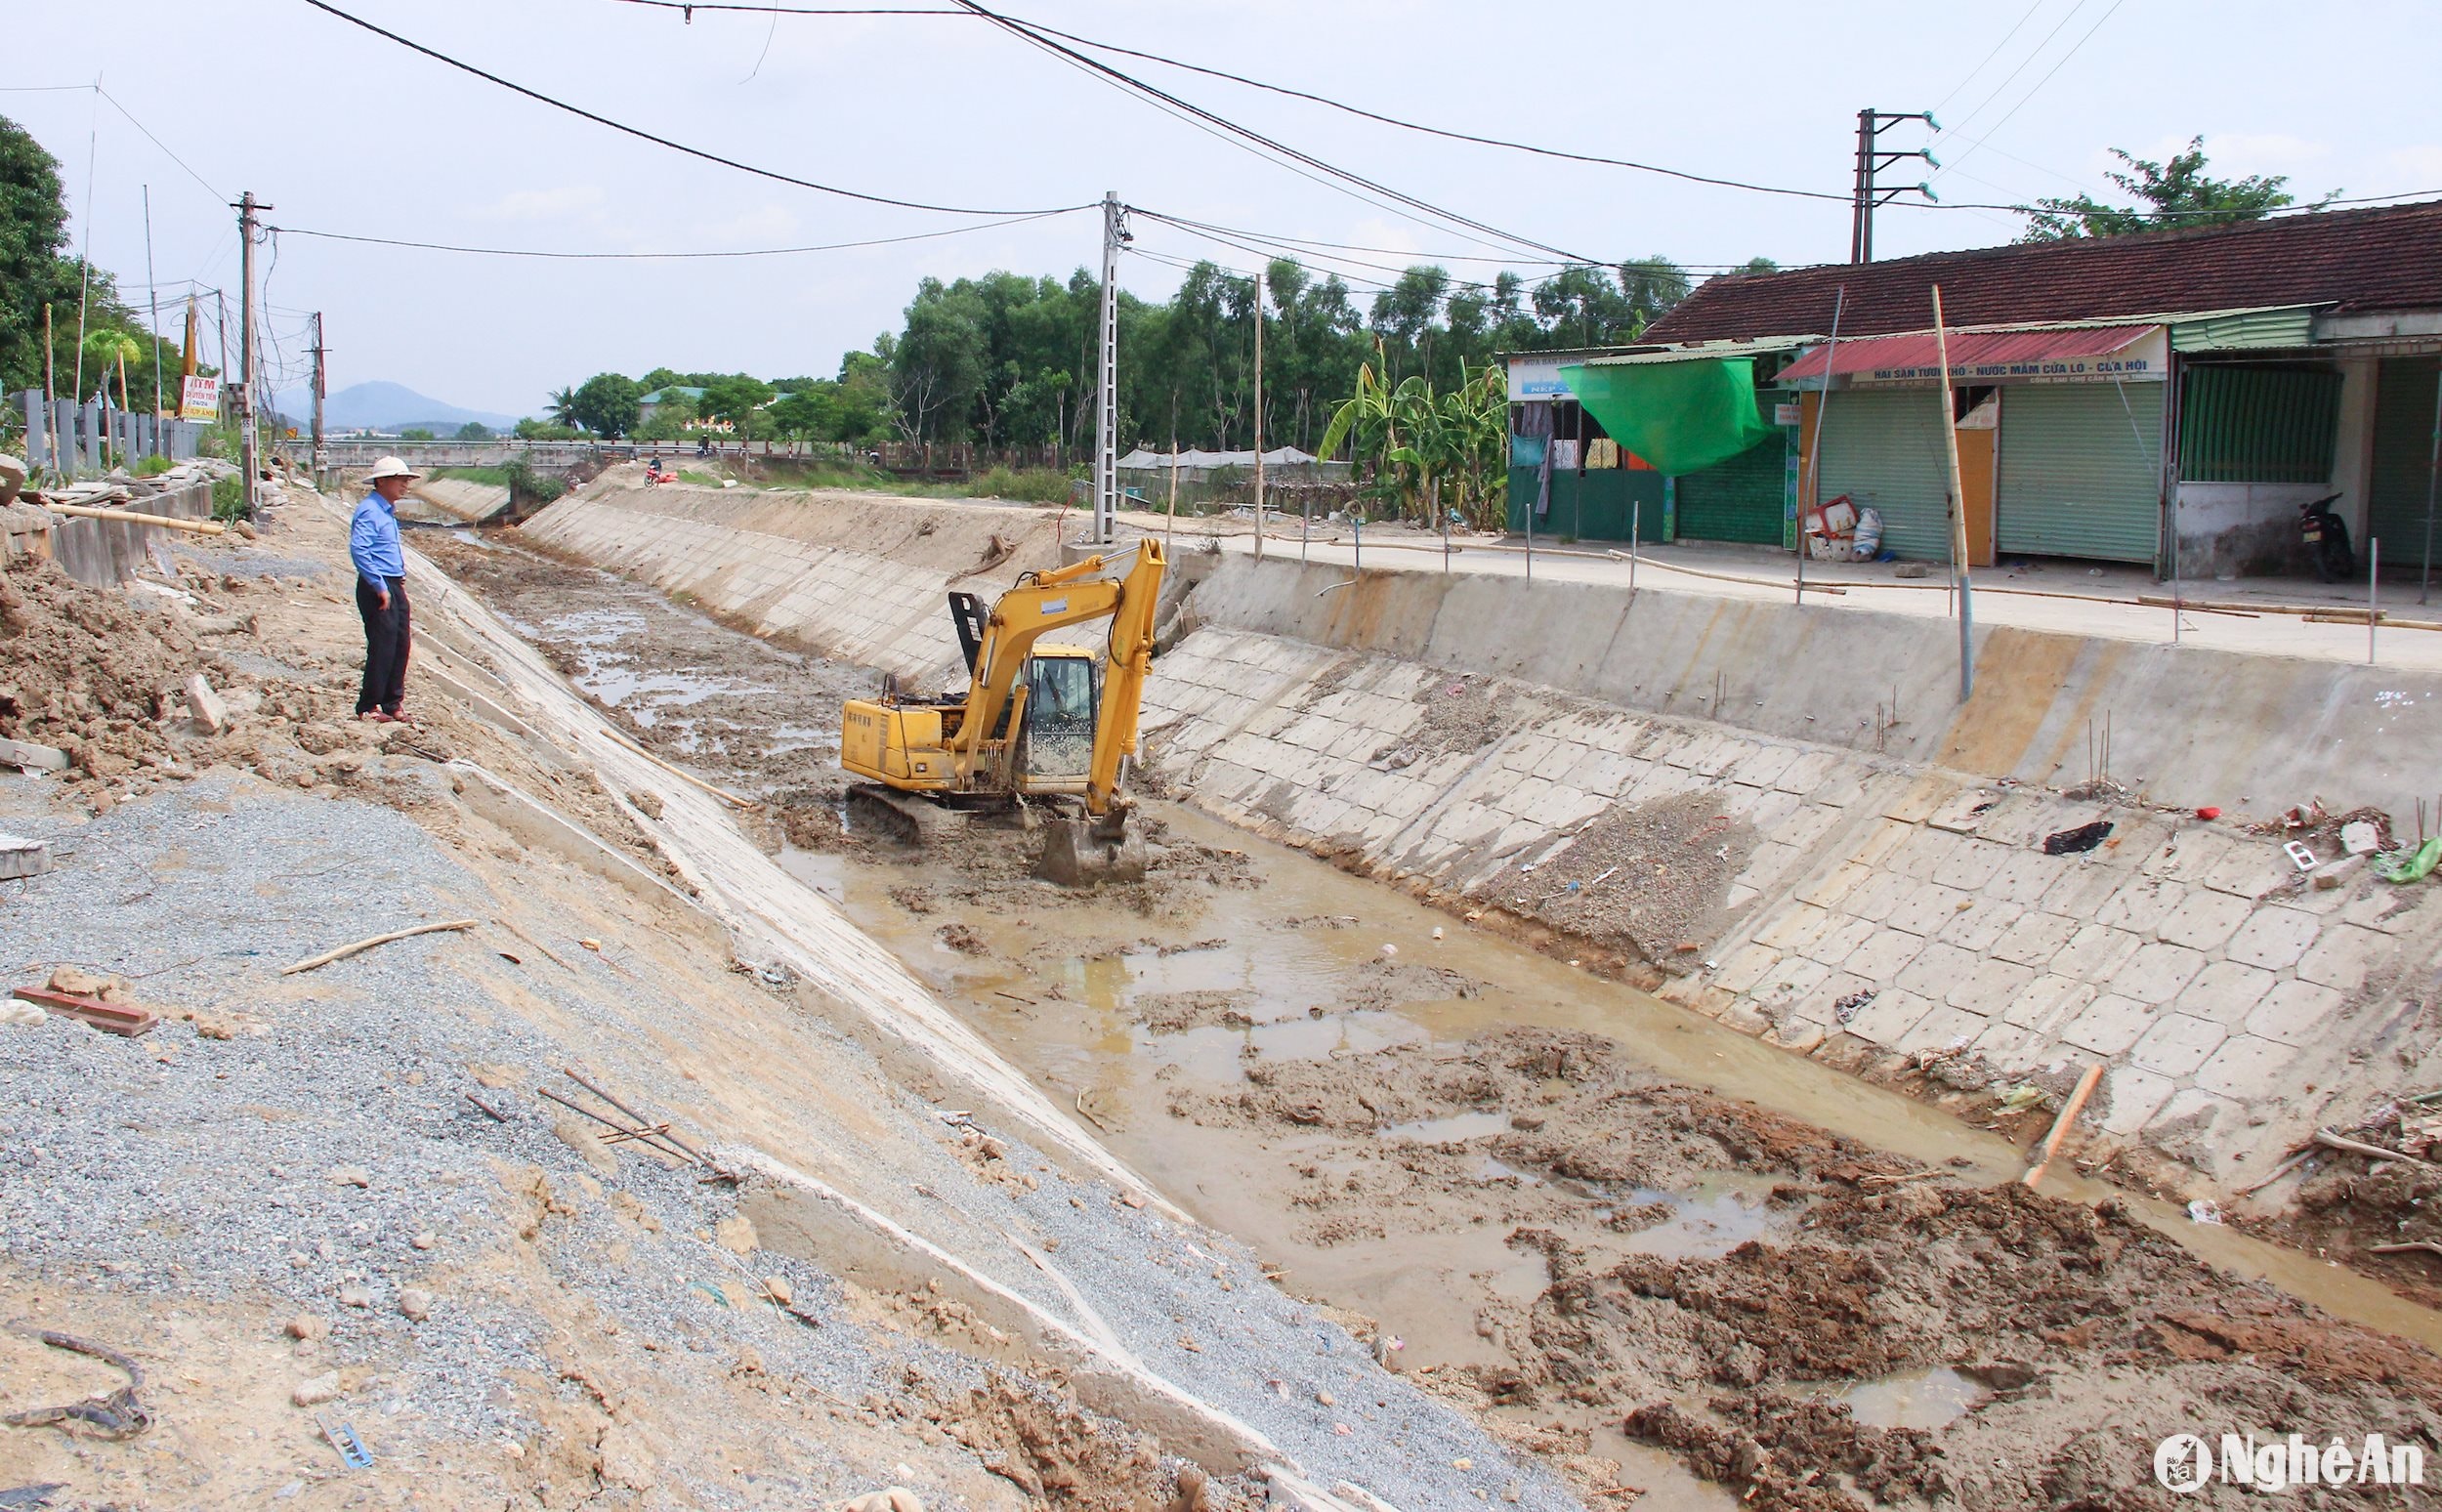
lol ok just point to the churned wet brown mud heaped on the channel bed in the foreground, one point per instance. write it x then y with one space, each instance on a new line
1720 1281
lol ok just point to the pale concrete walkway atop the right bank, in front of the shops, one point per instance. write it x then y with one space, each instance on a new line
2077 605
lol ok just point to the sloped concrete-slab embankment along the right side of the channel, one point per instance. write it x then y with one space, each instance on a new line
1784 812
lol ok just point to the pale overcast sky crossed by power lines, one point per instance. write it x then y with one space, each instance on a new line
350 133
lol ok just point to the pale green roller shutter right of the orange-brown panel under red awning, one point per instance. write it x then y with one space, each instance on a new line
2082 473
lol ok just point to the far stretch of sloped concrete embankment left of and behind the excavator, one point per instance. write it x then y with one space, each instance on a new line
839 575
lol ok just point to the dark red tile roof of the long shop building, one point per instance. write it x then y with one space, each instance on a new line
2358 260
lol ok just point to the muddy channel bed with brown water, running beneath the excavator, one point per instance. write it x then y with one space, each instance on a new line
1637 1247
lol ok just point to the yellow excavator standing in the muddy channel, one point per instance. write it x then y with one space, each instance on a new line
1037 722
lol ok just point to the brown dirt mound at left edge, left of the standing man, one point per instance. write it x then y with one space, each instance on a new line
89 671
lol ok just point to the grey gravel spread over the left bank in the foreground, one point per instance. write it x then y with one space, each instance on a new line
311 1149
